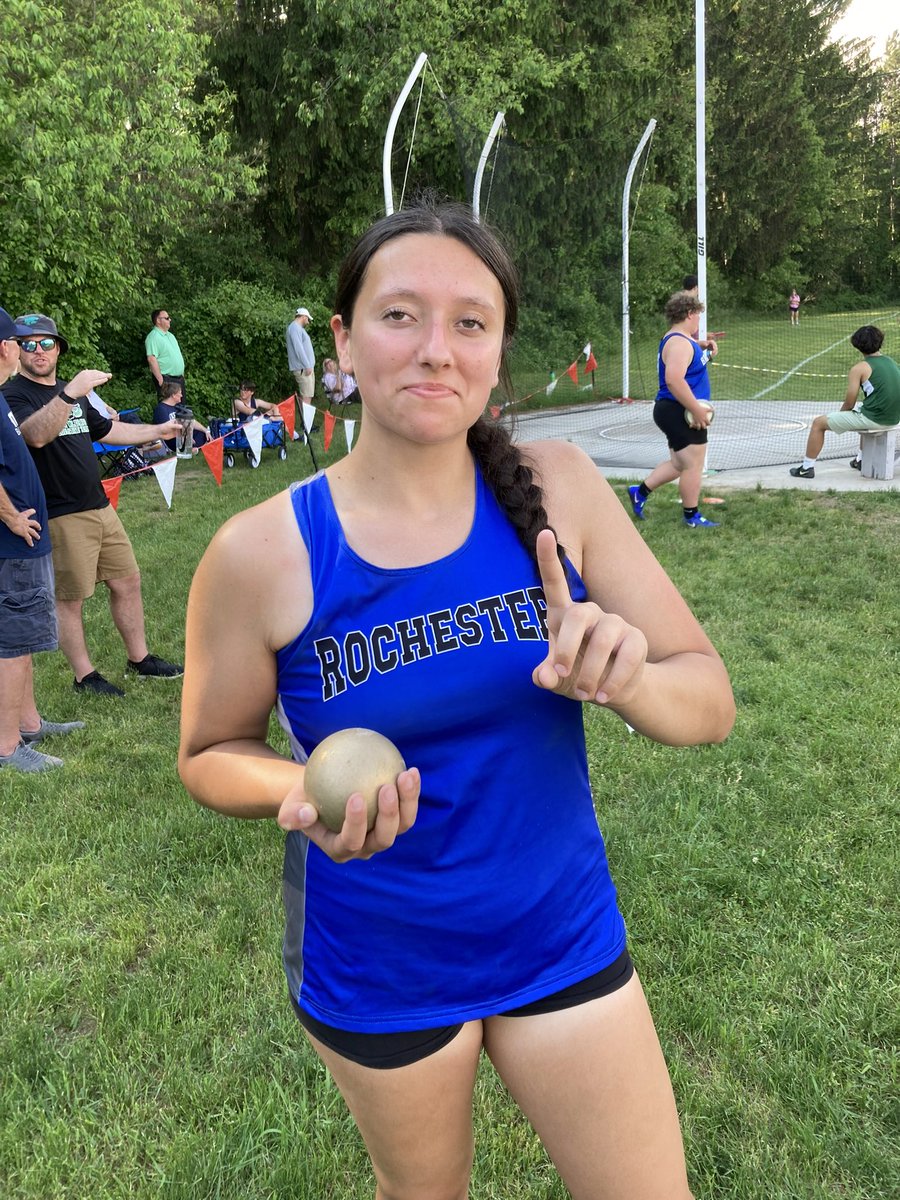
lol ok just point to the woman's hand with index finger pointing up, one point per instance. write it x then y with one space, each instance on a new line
593 656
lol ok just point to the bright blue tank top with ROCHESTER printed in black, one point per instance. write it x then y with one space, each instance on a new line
500 895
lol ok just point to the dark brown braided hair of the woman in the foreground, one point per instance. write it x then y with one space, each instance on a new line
491 443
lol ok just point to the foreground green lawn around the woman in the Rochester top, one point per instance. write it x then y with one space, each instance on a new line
148 1047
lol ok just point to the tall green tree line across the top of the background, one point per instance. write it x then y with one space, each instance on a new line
215 158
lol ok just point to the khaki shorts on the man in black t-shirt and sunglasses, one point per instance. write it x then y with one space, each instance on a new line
88 549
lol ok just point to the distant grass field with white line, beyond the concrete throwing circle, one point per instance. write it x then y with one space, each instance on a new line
759 358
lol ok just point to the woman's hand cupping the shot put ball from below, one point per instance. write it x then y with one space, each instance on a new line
398 808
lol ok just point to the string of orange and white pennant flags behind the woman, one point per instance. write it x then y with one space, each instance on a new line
214 451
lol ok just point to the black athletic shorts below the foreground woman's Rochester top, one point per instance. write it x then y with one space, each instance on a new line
386 1051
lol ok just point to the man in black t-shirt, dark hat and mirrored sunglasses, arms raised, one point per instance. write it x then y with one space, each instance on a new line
89 543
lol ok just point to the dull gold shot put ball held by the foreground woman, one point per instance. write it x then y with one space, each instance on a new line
346 763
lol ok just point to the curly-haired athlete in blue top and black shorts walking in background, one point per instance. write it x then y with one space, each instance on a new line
683 387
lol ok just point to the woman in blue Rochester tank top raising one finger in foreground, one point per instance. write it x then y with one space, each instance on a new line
417 587
